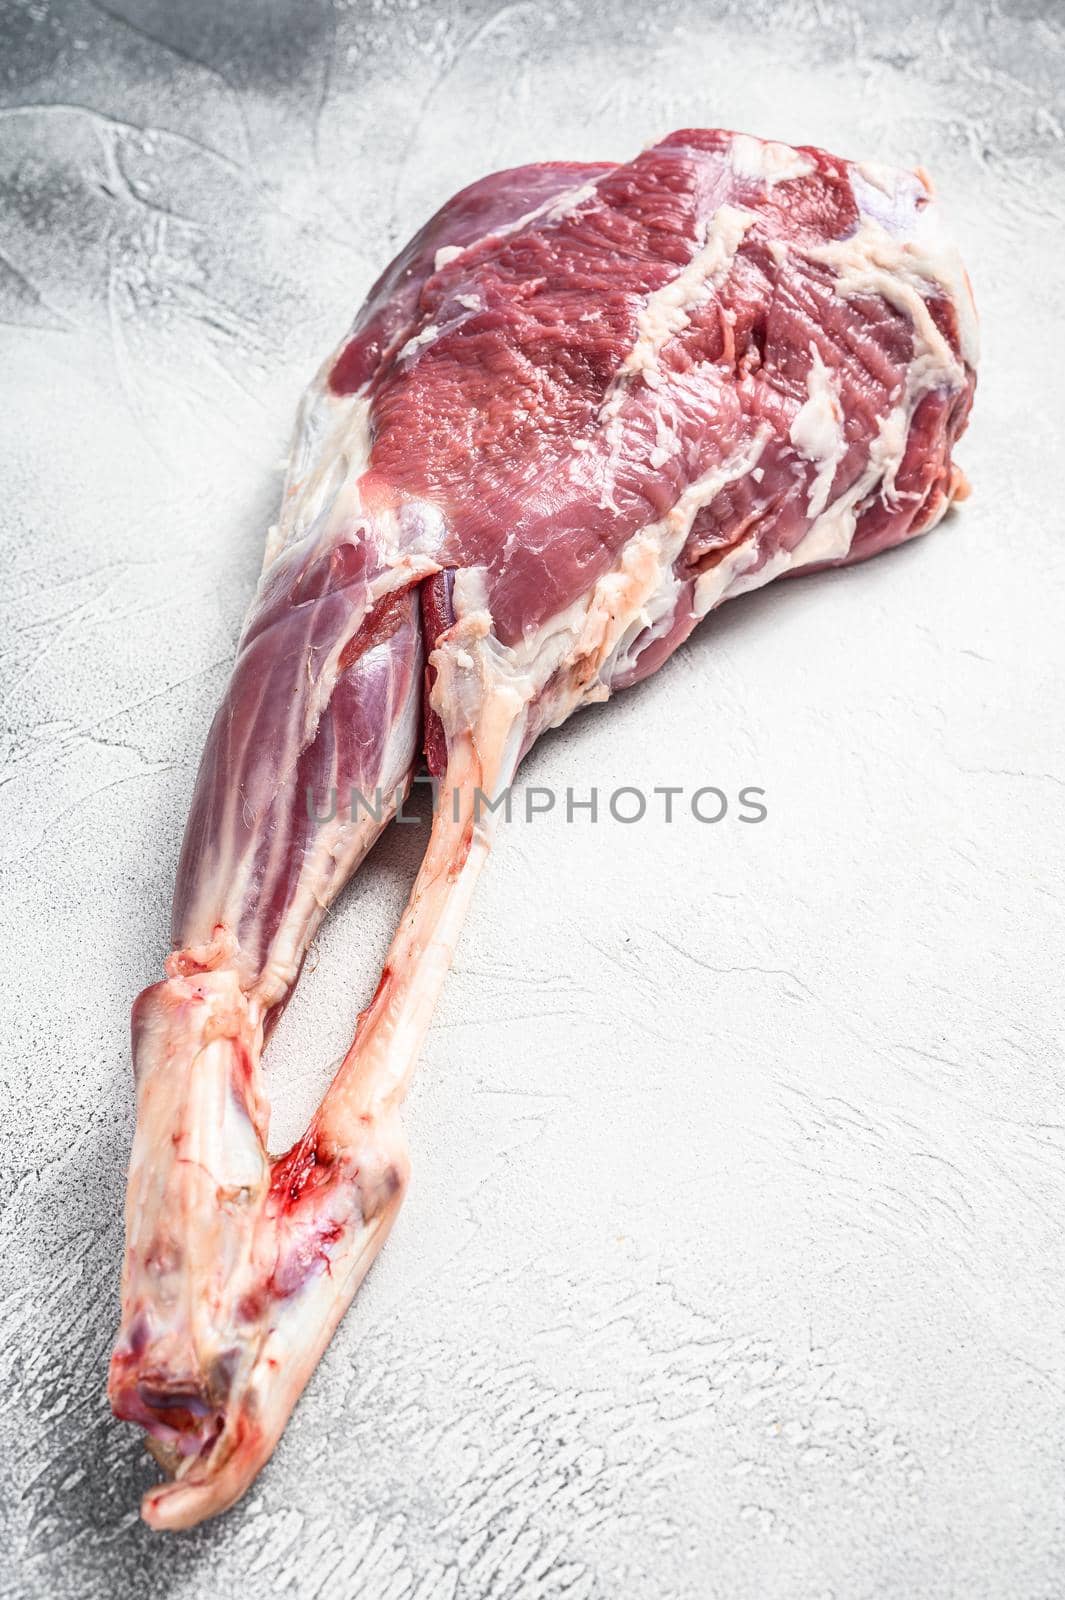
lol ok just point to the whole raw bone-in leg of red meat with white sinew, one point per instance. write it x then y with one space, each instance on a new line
583 409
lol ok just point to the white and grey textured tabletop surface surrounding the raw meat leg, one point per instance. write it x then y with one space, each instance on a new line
733 1262
